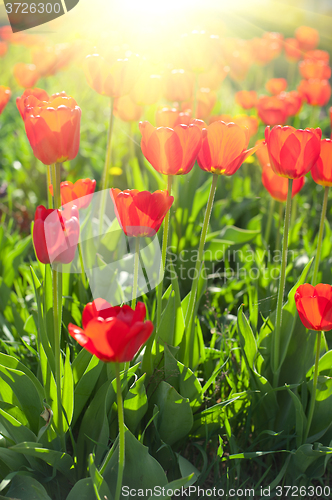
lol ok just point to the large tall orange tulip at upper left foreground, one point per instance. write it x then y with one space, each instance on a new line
53 127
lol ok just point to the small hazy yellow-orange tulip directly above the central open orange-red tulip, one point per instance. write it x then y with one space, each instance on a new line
179 85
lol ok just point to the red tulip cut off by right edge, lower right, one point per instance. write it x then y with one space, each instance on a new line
314 305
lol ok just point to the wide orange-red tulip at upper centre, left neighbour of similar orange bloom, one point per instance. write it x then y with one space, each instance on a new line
171 151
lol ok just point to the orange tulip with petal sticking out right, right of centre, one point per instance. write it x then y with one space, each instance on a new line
224 148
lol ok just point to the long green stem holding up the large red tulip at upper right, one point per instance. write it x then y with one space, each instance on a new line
276 333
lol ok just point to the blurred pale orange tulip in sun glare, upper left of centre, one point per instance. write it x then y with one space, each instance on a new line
113 80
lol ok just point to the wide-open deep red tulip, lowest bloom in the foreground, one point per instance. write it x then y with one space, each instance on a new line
112 333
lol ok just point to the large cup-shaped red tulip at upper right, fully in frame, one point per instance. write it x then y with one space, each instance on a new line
292 152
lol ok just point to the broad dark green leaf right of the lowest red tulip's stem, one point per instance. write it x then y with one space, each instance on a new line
175 417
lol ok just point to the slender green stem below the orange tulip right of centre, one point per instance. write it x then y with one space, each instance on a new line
194 286
